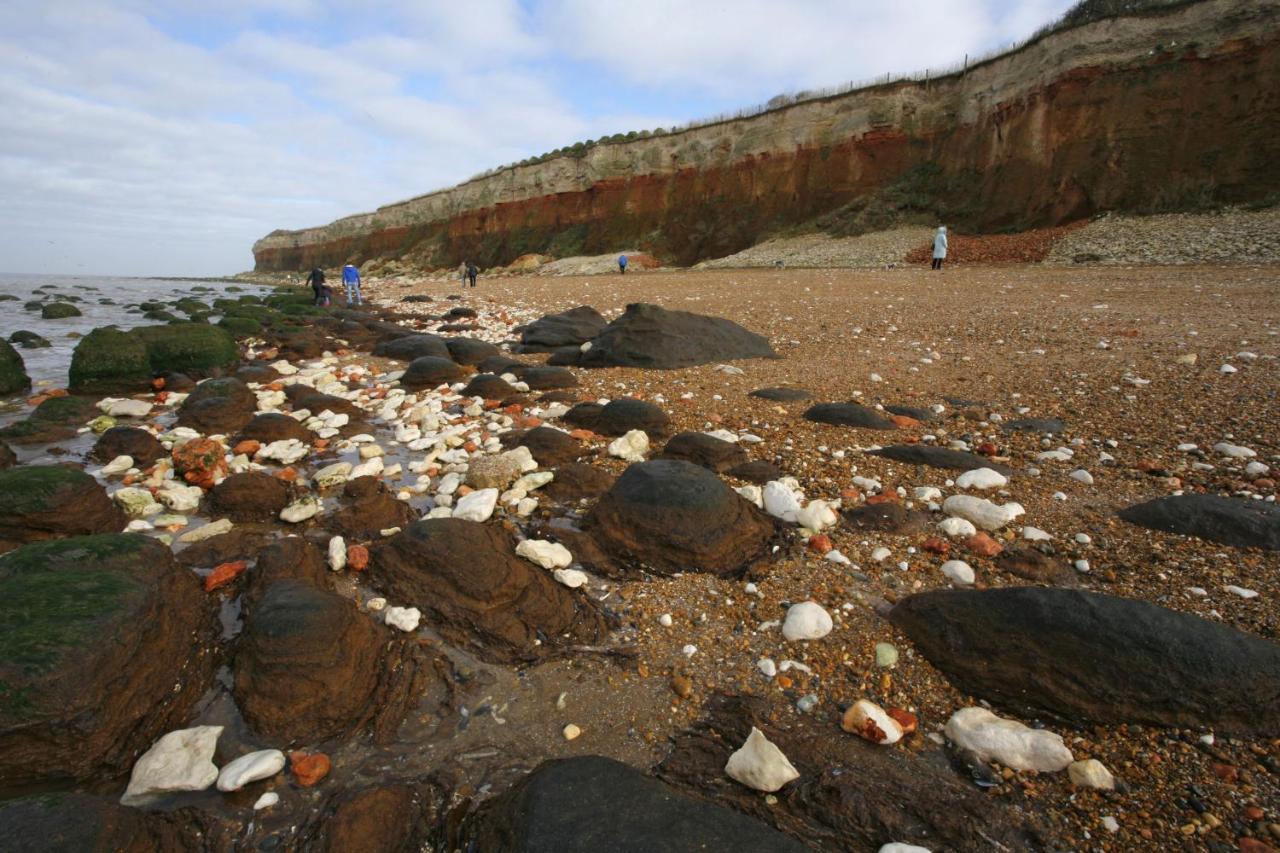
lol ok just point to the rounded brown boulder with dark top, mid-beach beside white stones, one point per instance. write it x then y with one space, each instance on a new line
670 516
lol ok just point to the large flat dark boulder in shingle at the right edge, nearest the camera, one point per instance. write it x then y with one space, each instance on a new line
1085 656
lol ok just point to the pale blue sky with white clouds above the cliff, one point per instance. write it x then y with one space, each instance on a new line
163 138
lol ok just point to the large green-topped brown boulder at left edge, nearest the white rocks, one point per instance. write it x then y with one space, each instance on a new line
104 646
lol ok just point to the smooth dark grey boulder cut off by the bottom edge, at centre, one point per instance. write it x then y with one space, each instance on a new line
593 804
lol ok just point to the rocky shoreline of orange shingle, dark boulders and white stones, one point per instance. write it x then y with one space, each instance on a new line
426 574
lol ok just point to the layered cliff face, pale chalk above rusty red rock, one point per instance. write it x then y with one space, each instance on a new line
1141 113
